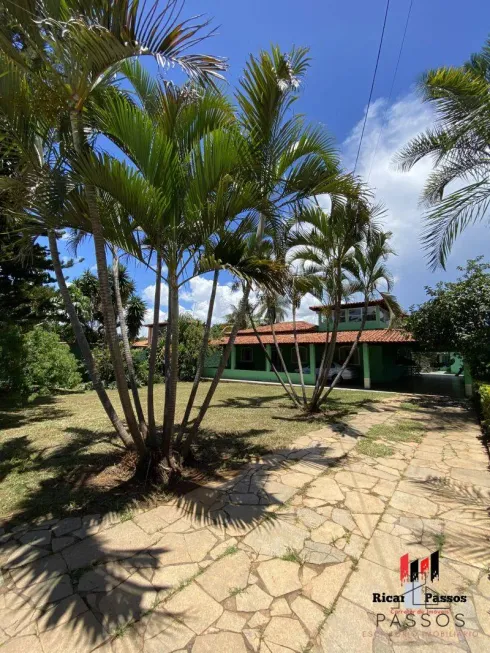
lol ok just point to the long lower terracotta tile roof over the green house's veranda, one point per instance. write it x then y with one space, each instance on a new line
343 337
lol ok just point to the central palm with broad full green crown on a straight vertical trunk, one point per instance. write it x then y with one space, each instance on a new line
179 190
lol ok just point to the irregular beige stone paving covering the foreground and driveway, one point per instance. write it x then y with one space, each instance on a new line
284 557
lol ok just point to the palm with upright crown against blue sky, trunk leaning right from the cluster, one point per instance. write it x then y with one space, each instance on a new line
286 160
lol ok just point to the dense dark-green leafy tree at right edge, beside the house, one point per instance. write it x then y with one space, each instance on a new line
456 317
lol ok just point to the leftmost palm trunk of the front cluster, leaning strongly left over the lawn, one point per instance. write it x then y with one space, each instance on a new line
84 346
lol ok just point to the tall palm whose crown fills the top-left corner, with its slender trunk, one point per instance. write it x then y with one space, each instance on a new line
73 48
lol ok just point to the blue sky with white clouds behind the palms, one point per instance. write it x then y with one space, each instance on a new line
343 39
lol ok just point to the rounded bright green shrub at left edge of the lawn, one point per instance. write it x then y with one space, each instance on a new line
49 362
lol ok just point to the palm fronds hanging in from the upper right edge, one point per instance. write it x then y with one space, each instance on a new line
458 146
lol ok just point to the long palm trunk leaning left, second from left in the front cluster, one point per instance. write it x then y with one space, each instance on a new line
105 295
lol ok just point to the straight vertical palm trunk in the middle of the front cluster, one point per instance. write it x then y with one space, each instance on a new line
172 373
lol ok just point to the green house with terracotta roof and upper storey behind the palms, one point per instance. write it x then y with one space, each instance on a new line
383 355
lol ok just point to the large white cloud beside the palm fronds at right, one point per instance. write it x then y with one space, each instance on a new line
388 129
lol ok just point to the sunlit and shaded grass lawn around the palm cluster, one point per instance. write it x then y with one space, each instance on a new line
59 456
